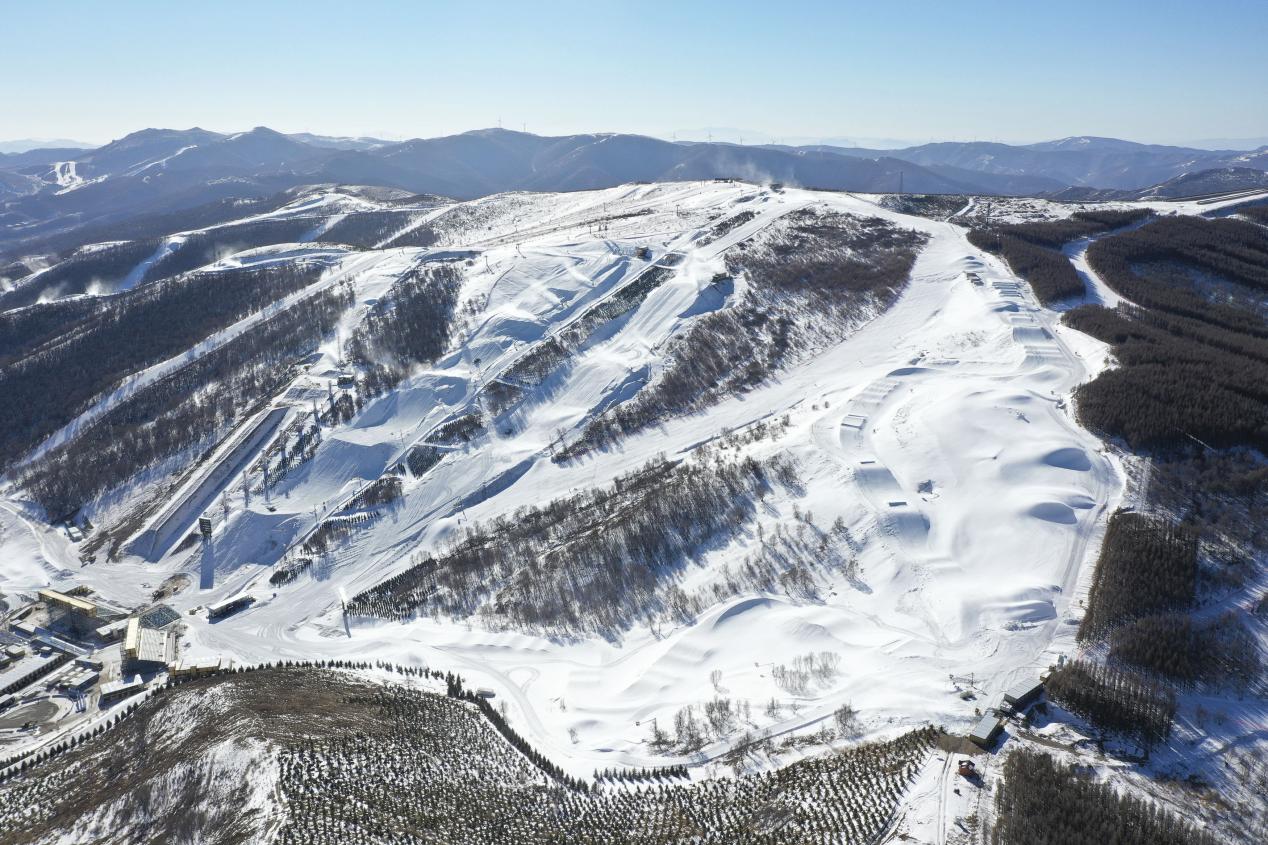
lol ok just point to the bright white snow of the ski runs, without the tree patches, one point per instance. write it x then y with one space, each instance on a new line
939 432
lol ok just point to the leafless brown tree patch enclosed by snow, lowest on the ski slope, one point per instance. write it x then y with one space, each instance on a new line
593 563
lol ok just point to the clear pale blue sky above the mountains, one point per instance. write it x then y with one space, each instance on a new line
1157 70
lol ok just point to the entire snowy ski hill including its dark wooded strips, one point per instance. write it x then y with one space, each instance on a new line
663 469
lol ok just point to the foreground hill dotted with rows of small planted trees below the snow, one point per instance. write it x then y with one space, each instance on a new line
359 762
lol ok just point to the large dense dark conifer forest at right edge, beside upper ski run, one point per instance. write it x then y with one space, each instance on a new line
1194 357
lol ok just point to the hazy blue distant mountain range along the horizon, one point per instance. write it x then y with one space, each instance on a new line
50 190
